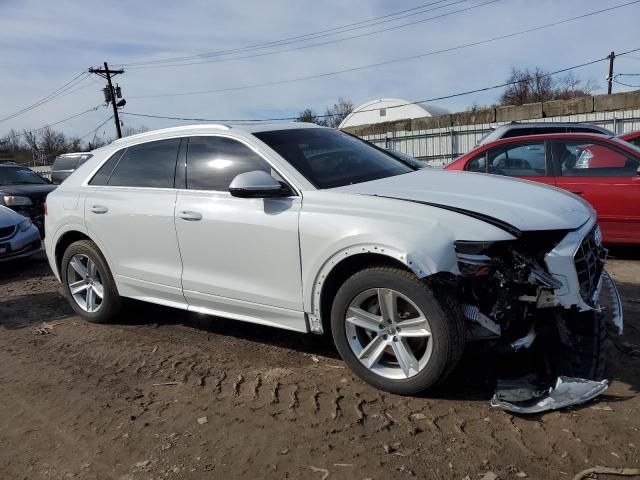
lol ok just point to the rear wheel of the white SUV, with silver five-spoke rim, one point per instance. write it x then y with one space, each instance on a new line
88 282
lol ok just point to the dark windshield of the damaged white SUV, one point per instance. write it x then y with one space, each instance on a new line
330 158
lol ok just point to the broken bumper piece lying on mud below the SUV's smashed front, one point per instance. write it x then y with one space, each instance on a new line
568 391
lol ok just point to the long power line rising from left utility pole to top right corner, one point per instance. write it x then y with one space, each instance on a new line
389 62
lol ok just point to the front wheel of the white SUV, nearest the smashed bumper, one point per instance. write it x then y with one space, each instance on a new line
442 349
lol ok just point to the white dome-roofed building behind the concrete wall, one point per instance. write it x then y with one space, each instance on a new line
388 110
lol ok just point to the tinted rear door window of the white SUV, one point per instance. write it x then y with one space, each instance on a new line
150 165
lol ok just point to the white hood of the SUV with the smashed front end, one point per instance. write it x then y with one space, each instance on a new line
522 204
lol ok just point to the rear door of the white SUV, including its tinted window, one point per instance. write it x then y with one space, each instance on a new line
129 212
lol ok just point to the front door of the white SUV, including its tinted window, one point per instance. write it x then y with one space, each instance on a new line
240 256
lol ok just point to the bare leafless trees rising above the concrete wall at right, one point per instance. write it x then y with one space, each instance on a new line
539 86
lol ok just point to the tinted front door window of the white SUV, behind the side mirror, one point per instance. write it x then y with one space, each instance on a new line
213 162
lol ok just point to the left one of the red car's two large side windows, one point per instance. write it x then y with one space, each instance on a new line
518 160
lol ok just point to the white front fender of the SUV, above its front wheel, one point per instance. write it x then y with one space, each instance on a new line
334 226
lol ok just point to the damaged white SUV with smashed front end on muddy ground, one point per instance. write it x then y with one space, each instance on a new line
313 230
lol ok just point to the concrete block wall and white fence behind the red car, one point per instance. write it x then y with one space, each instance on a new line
441 139
